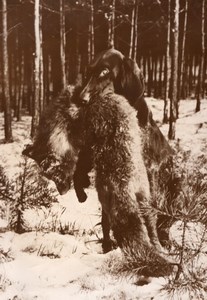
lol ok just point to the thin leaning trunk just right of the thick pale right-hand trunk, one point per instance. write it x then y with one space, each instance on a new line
182 60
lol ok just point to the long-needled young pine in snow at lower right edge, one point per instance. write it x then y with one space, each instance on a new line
190 209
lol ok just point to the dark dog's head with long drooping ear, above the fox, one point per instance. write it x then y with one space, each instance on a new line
111 71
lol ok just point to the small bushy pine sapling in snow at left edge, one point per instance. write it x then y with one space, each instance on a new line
28 190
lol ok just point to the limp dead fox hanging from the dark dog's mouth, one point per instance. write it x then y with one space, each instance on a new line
108 127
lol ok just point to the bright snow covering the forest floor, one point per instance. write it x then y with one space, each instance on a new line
46 265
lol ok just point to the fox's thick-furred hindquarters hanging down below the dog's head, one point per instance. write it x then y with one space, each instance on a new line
113 134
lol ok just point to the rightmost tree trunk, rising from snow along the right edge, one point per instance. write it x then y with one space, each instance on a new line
201 78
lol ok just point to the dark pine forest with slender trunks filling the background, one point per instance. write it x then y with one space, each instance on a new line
48 44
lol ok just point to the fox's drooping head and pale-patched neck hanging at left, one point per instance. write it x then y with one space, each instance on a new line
56 145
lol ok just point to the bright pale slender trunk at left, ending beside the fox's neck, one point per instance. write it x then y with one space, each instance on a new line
36 108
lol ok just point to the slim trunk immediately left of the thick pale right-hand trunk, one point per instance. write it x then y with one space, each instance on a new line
167 68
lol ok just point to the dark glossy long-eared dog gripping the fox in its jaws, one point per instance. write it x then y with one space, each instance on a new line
128 81
